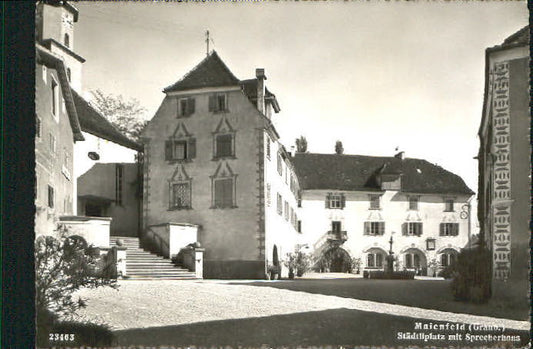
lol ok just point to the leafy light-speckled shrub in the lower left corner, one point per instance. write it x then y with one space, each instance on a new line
63 265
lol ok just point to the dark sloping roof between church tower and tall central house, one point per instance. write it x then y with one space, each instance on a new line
93 122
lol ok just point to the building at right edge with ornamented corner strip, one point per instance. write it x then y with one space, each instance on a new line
504 158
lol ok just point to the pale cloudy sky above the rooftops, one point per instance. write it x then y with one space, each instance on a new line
375 75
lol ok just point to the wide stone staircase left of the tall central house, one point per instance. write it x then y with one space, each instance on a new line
144 265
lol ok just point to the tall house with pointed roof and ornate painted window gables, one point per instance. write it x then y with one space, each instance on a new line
212 159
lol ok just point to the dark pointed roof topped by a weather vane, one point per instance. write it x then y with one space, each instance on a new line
210 72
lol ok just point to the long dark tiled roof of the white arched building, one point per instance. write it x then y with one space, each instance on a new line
358 172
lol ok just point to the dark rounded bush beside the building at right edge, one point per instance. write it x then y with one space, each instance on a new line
472 276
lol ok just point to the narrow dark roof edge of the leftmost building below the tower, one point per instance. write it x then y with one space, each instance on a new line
47 58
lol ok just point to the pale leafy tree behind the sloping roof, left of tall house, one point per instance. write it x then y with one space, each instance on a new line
126 115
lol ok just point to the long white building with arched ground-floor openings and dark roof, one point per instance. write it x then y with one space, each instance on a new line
351 206
